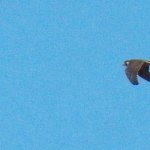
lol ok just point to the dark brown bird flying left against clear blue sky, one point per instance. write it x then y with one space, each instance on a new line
136 67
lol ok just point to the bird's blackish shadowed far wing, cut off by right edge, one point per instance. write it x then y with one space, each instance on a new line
144 72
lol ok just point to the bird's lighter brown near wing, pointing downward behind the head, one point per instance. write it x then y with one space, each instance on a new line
132 71
